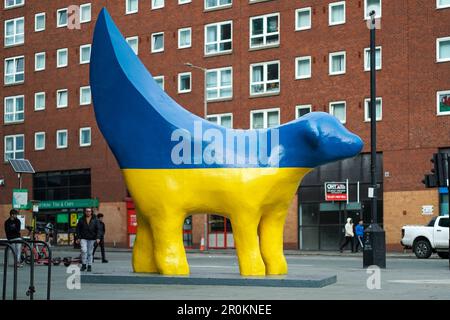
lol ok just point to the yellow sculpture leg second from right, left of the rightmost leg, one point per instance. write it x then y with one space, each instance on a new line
245 233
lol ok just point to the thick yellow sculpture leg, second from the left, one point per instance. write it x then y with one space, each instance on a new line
169 252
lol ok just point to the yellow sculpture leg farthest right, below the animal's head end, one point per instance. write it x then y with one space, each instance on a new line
271 242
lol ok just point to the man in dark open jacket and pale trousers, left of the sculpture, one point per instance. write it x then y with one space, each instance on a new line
88 233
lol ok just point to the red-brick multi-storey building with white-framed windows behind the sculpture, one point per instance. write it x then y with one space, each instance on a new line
259 63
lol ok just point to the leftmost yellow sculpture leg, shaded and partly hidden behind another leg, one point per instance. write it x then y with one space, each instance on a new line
143 258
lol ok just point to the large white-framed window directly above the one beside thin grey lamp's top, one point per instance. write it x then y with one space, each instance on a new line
218 38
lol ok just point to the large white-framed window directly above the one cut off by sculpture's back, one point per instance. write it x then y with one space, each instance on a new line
265 78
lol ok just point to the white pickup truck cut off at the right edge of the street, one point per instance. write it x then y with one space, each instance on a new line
424 240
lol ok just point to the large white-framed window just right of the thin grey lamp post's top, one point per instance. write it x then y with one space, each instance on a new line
219 83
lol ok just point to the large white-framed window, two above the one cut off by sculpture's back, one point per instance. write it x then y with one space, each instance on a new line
265 31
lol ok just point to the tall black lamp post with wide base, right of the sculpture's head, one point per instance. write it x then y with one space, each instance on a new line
374 236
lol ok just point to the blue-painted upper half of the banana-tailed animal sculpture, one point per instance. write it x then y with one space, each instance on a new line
137 119
